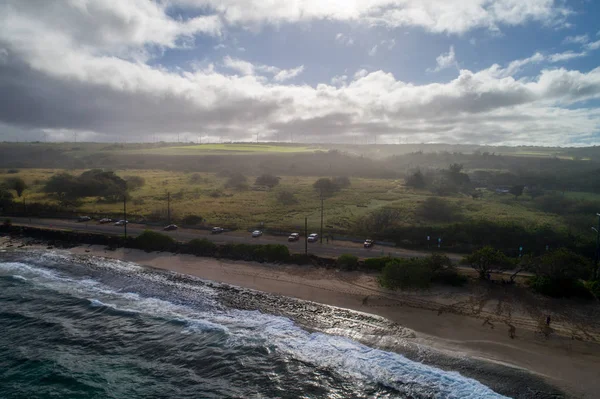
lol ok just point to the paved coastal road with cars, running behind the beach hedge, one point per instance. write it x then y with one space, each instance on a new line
326 250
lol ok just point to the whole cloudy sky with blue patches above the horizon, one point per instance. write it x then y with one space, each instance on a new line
517 72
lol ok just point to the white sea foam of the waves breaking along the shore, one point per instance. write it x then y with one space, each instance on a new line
346 357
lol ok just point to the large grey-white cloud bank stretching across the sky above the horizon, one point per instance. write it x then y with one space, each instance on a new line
85 81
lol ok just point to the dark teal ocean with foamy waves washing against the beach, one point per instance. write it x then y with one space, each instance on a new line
87 327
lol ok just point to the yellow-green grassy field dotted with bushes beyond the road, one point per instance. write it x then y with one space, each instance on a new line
204 194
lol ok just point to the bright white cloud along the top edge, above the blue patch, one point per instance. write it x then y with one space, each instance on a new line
440 16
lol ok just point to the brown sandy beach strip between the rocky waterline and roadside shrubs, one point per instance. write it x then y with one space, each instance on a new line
464 322
